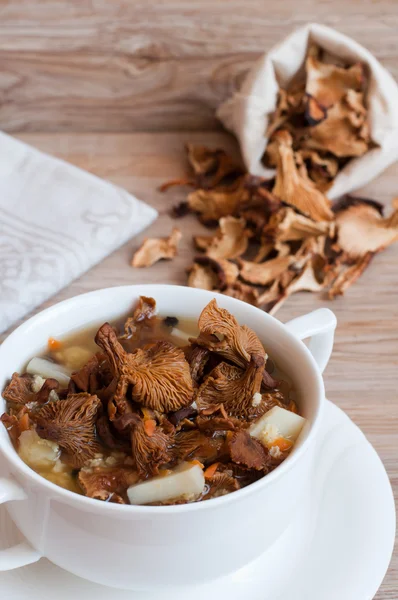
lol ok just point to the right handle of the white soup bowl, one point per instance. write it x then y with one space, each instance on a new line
318 325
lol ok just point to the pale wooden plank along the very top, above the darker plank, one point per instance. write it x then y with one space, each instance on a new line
177 28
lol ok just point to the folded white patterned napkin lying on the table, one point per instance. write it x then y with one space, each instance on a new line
56 221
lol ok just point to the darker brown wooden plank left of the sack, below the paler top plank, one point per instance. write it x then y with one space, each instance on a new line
85 92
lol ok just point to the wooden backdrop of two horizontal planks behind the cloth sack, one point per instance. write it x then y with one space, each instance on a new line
143 66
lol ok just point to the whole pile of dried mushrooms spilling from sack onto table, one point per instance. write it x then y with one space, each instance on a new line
280 236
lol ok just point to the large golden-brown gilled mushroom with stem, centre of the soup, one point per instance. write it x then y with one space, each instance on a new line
158 374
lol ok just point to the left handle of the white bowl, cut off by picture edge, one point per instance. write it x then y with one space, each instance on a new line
21 554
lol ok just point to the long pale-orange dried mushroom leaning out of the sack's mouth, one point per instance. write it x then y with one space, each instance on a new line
293 188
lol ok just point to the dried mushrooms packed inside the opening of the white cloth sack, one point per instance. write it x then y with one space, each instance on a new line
326 115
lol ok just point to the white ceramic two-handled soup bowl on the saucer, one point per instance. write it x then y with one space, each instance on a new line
139 547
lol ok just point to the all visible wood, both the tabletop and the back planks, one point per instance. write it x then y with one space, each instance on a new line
117 87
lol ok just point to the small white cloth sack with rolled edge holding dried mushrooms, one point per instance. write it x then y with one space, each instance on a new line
248 111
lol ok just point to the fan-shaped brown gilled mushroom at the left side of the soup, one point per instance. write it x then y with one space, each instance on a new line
71 423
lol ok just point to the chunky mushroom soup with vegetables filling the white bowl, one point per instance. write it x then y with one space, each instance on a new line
154 410
